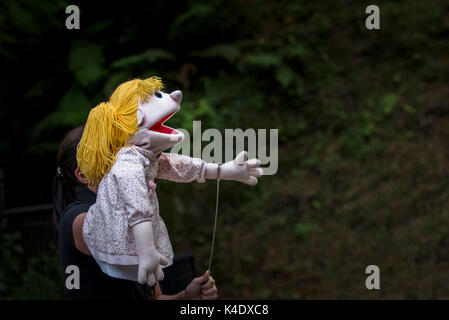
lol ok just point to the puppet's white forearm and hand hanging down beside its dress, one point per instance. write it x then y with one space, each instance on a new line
150 260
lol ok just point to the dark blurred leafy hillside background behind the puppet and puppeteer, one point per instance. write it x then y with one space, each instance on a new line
363 120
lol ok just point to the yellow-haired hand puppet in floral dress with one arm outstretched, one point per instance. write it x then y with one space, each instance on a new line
120 153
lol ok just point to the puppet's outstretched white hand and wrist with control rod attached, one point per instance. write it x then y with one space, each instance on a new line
240 169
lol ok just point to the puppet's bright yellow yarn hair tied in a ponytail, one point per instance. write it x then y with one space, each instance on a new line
109 127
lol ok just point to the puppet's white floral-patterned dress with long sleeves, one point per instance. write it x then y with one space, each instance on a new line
126 196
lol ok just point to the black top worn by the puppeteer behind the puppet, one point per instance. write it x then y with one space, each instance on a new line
94 284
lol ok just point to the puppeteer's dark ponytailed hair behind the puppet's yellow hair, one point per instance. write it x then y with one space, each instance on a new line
65 181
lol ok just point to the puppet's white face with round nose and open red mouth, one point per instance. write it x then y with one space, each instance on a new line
151 115
